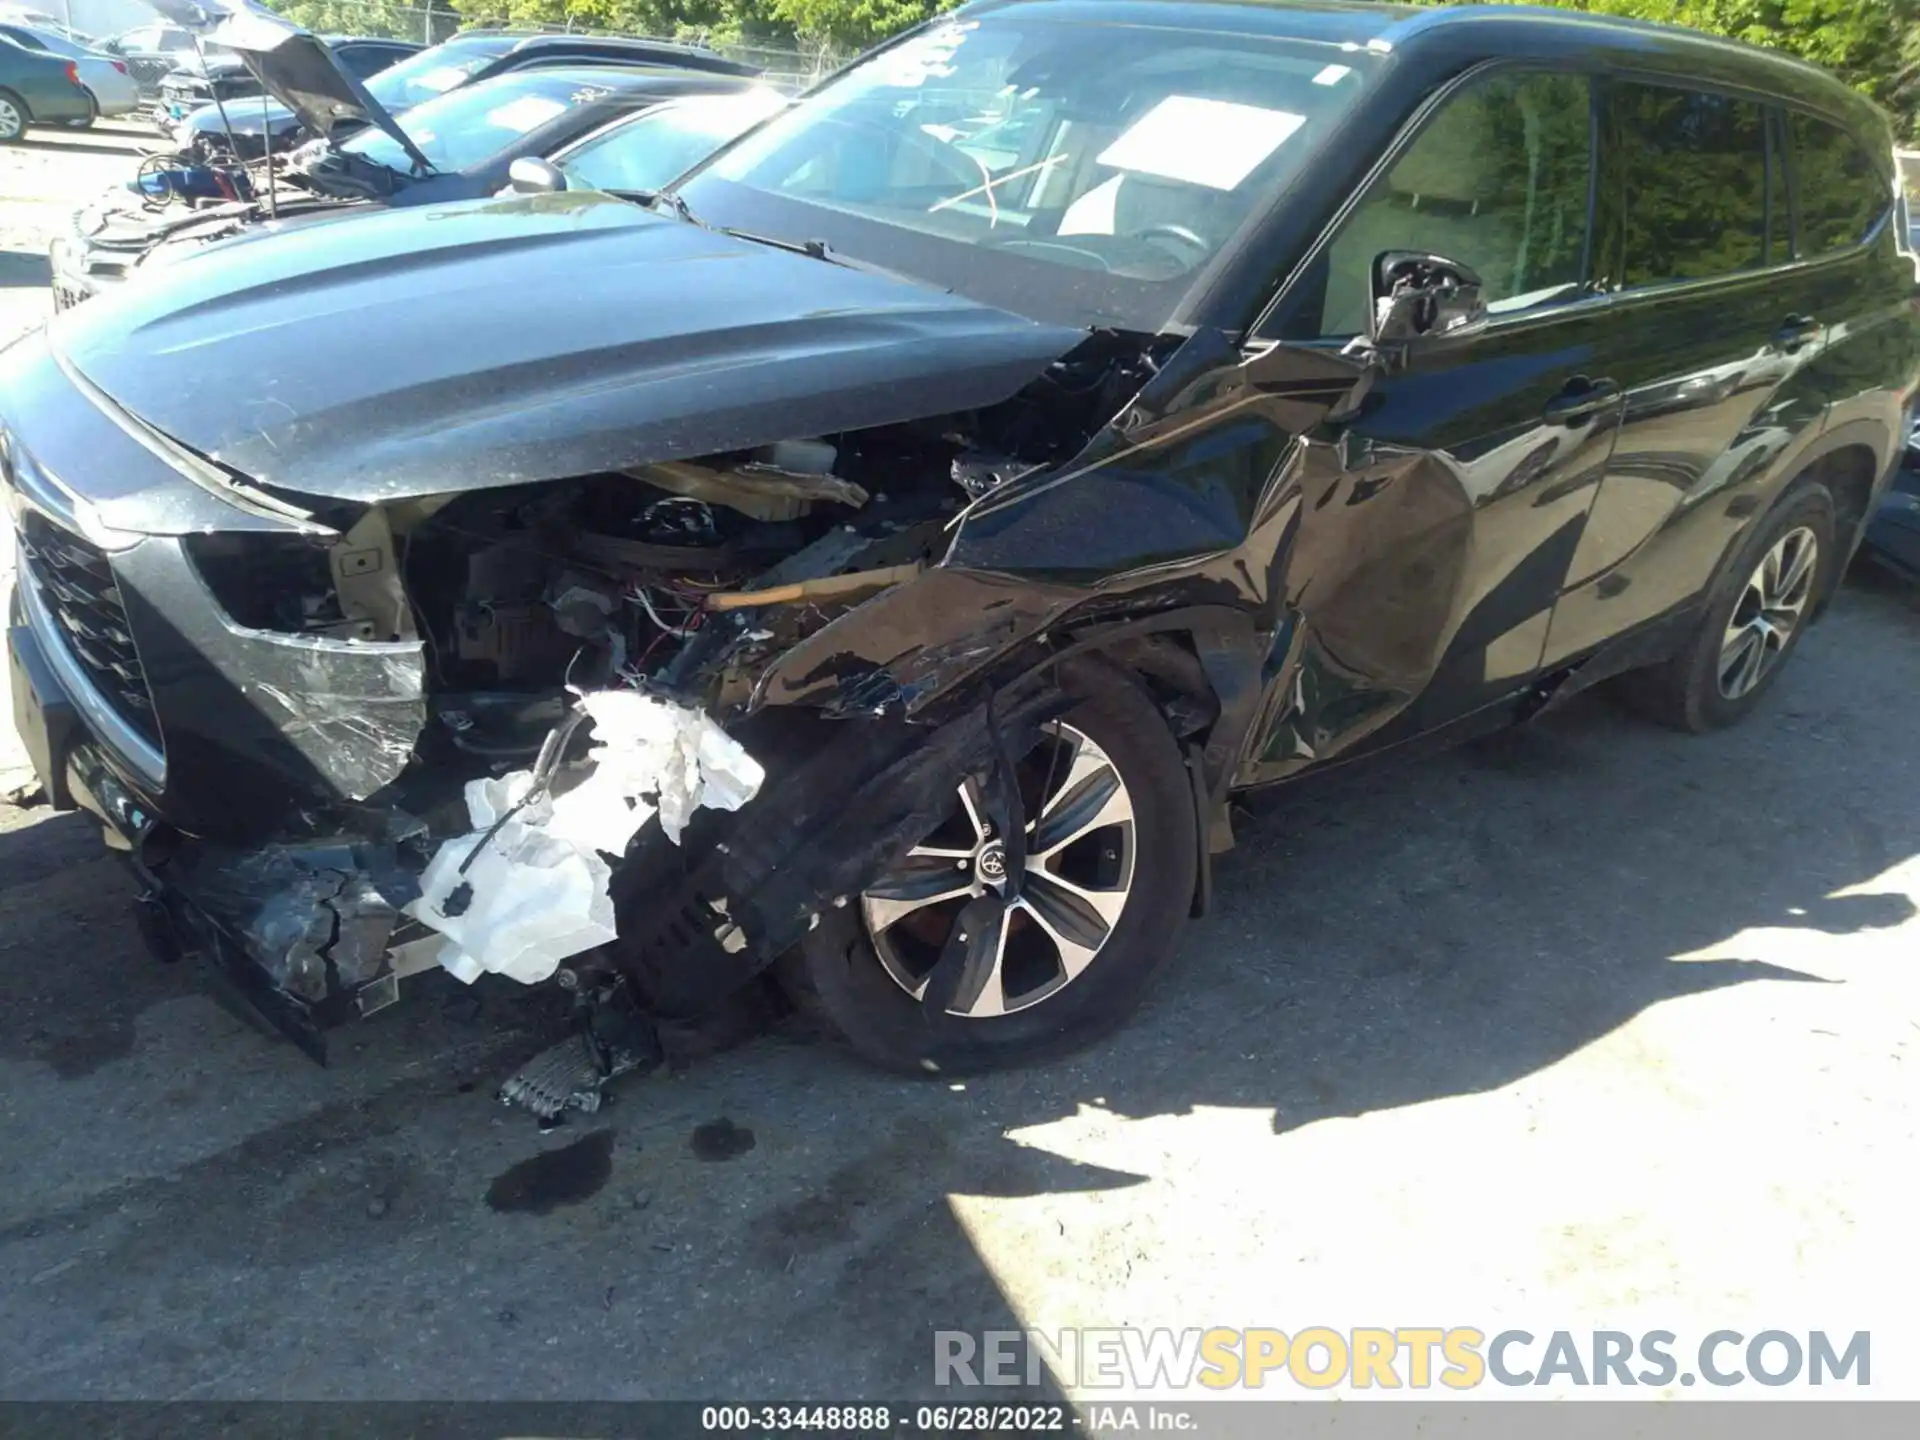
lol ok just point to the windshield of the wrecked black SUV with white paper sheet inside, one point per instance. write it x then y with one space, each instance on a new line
1090 170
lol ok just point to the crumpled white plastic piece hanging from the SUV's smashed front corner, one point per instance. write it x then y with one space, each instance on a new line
537 890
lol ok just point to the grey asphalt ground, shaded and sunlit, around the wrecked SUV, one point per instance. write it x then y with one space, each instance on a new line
1589 1026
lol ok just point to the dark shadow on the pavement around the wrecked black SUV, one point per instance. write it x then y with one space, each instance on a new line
777 1220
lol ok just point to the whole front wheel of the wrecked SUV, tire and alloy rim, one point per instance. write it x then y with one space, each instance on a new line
1067 955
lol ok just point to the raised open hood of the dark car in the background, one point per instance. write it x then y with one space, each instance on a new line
293 66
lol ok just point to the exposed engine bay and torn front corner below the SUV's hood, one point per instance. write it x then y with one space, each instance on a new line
592 654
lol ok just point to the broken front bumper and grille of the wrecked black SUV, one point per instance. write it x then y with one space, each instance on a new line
222 761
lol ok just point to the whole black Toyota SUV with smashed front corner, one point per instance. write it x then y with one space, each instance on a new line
880 560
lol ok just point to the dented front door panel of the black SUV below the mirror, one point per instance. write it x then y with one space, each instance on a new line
1431 550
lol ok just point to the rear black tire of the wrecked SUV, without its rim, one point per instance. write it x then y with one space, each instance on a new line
1687 692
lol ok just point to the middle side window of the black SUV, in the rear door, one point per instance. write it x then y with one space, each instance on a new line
1691 185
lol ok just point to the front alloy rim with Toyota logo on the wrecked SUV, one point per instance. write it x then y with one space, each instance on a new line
1078 878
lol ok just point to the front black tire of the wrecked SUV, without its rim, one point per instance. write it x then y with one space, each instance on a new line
838 974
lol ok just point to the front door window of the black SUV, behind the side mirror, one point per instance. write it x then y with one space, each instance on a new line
1497 180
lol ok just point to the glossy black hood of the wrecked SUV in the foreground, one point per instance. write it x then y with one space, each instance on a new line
448 348
